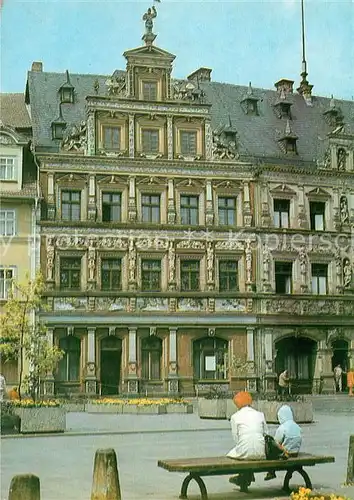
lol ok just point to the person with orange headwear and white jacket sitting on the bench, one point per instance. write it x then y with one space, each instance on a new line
248 427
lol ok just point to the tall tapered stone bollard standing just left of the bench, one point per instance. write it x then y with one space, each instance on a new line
105 484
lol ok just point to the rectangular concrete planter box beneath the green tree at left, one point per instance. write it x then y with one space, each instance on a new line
41 419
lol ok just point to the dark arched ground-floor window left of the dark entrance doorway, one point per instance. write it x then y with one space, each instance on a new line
69 365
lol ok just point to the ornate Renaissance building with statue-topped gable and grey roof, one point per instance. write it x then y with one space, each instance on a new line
189 226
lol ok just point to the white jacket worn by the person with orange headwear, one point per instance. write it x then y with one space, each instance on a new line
248 427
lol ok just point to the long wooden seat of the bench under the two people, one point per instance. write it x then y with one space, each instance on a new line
214 465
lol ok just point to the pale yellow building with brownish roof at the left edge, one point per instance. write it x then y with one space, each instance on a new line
19 200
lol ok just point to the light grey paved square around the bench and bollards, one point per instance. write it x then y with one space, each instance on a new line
64 463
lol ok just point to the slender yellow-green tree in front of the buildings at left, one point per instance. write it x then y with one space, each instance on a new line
23 335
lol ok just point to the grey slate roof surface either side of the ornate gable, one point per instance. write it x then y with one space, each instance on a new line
257 136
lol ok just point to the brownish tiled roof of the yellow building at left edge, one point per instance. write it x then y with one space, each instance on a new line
13 111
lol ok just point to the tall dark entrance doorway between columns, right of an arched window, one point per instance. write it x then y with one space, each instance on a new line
111 355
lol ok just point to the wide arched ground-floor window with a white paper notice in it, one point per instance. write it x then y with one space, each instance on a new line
210 358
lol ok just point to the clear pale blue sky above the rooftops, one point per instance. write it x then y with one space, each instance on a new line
242 41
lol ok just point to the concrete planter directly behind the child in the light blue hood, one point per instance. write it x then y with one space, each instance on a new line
303 412
